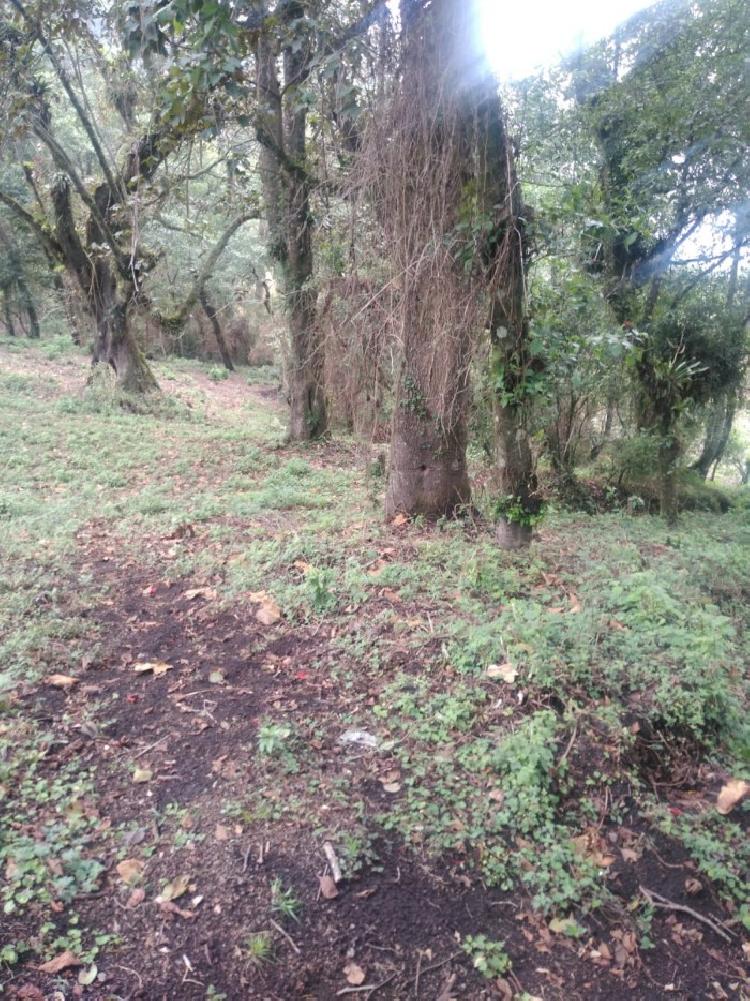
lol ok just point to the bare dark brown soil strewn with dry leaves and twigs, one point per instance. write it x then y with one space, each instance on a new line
222 831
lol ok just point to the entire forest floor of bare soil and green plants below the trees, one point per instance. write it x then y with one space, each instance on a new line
223 675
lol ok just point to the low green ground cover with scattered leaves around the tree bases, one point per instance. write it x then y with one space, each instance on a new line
622 637
